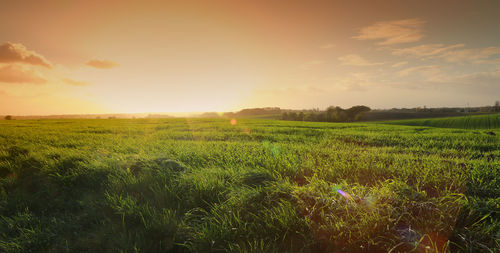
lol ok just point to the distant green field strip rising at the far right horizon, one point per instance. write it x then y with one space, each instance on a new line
489 121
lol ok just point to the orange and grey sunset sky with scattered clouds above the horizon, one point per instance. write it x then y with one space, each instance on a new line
78 57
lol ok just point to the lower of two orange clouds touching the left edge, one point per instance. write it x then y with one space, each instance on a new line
15 73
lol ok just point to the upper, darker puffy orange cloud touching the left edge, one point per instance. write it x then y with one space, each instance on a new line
17 53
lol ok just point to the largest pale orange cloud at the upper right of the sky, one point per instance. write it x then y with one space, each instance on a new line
393 32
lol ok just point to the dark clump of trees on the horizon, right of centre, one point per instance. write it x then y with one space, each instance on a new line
331 114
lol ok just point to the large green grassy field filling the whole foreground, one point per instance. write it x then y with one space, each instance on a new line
181 185
